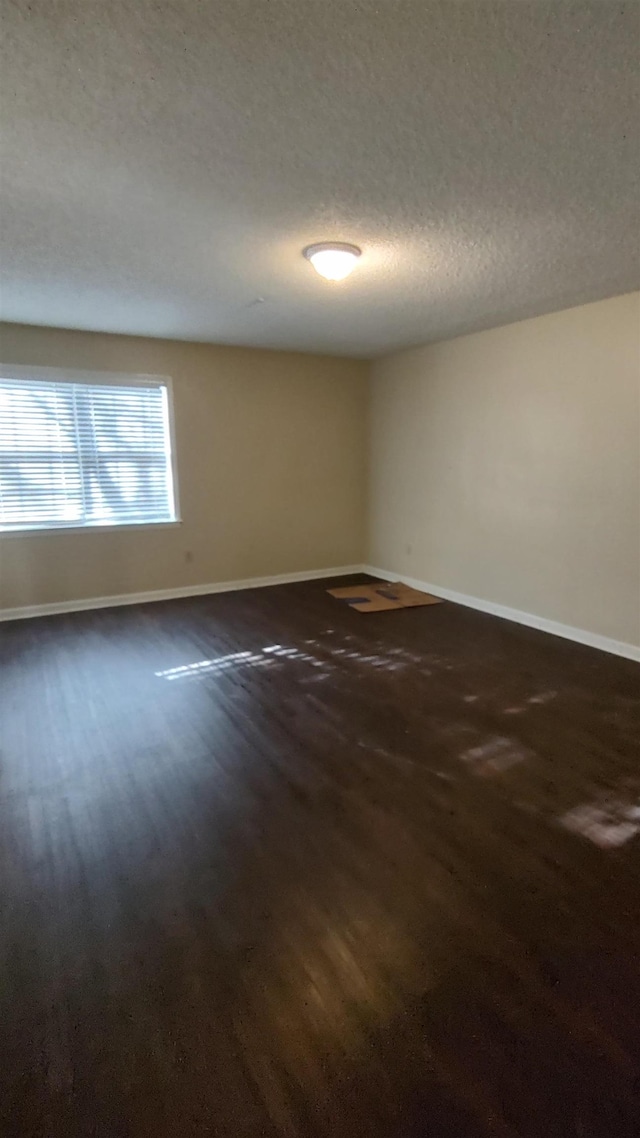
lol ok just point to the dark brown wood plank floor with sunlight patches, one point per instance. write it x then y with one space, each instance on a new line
272 868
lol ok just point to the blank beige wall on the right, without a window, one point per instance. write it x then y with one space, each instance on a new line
506 466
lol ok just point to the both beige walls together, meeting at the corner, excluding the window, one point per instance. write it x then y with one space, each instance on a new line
504 465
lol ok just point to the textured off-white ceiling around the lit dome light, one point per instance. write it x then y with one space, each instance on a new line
165 163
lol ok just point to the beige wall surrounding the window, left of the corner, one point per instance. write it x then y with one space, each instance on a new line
272 461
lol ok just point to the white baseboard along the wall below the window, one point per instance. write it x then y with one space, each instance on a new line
170 595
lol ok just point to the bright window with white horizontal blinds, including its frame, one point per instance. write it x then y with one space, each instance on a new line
84 450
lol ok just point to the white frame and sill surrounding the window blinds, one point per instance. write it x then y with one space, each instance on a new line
104 378
